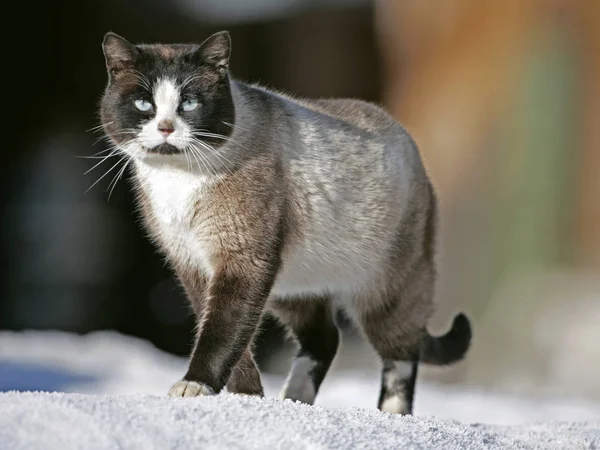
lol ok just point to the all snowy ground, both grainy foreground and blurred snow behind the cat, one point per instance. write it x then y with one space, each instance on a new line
132 411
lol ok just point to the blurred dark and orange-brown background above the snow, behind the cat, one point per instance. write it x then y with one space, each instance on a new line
503 99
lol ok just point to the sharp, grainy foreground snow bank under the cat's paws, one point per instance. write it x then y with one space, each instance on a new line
36 420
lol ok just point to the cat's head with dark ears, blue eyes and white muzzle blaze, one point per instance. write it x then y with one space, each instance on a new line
167 100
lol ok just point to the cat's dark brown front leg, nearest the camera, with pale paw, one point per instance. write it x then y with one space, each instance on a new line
232 307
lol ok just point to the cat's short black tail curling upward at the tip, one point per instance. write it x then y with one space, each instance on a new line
450 347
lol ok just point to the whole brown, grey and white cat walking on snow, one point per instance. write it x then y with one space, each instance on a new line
265 203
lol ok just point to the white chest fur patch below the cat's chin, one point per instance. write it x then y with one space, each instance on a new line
172 194
